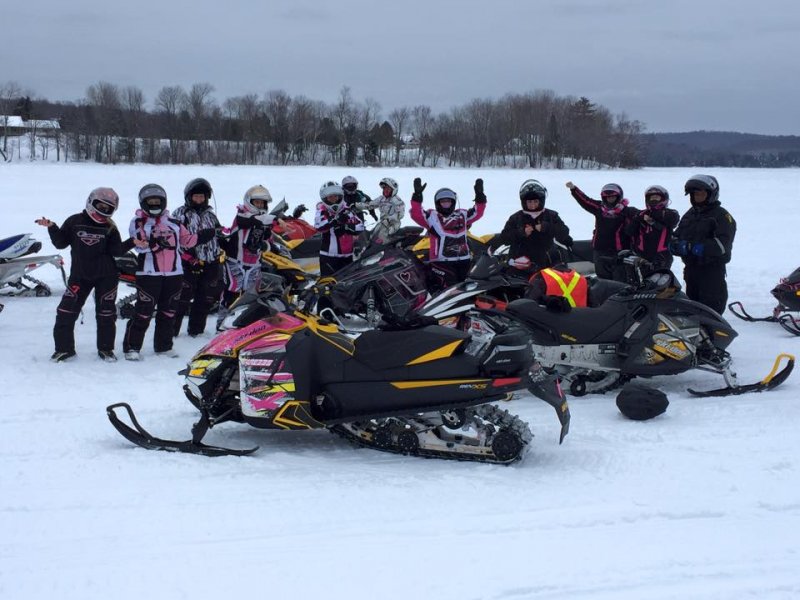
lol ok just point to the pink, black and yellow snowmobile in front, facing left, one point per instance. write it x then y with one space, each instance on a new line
424 391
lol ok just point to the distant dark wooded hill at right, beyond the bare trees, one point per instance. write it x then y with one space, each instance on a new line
719 149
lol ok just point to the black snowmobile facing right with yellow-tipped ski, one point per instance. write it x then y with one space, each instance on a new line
645 330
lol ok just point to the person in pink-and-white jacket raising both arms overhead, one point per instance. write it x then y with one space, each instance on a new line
447 226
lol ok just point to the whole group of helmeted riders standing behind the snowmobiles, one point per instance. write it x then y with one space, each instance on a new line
187 262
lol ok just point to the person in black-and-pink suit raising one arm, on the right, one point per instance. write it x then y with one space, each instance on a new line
611 216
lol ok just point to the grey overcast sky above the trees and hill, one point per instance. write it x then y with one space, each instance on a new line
675 65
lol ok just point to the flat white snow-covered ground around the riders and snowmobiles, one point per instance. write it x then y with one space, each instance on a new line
703 502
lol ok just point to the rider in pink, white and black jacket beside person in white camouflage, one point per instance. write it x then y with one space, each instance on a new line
339 226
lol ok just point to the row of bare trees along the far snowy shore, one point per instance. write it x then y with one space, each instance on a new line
114 124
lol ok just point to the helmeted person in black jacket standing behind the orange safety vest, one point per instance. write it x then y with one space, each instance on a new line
530 232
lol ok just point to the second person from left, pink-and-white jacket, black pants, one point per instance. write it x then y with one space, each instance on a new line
159 242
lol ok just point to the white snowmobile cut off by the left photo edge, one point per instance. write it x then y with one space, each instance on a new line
16 262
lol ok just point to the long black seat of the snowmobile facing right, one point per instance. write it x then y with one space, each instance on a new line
604 324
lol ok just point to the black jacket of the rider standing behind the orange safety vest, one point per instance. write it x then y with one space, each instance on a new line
538 244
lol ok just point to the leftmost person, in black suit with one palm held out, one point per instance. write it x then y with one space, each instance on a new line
94 241
